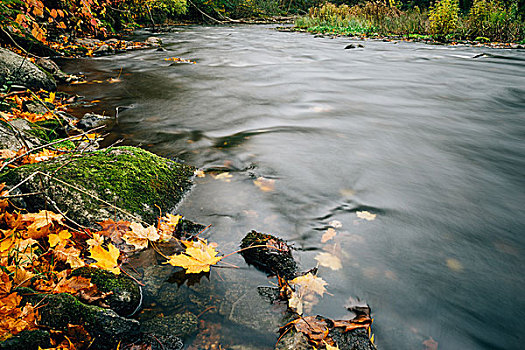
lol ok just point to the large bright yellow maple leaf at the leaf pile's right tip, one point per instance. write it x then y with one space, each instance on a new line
197 258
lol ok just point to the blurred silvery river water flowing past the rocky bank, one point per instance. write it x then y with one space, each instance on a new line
428 138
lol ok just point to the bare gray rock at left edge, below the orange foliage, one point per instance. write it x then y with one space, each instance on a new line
20 71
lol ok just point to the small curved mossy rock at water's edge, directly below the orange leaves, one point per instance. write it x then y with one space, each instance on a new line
126 295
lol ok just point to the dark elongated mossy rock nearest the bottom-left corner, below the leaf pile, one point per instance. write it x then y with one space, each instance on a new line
59 310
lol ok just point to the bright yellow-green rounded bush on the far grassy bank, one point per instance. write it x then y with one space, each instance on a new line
444 17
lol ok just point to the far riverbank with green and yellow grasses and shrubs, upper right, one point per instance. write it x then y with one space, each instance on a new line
486 24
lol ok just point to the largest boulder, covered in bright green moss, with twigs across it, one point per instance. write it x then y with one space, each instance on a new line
128 178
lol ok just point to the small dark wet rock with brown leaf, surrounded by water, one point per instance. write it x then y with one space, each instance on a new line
274 257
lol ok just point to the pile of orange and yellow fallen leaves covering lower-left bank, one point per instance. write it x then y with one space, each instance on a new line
39 250
